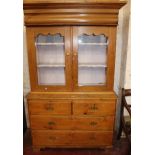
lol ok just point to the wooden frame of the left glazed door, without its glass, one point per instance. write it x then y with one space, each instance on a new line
32 32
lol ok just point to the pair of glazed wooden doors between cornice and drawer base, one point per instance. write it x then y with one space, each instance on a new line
77 58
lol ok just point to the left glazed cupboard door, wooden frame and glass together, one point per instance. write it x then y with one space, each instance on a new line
52 58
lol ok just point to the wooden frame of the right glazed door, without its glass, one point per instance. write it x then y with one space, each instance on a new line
97 30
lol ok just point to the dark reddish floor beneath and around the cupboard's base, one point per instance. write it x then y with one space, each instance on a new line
120 148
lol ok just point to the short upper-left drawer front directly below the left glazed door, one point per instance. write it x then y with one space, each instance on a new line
51 107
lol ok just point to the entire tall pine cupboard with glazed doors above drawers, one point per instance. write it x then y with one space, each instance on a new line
71 53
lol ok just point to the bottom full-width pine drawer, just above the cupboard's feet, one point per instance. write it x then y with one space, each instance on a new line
71 138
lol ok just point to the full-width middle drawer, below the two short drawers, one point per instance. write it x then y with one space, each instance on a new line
73 123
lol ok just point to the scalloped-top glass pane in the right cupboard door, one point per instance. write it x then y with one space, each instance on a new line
92 60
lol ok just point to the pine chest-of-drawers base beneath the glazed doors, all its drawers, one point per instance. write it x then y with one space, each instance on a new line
72 121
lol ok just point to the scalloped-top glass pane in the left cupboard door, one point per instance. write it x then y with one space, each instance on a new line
50 59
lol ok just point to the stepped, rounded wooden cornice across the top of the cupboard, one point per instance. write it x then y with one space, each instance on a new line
71 12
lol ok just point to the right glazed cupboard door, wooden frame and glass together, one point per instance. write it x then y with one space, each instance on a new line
93 67
